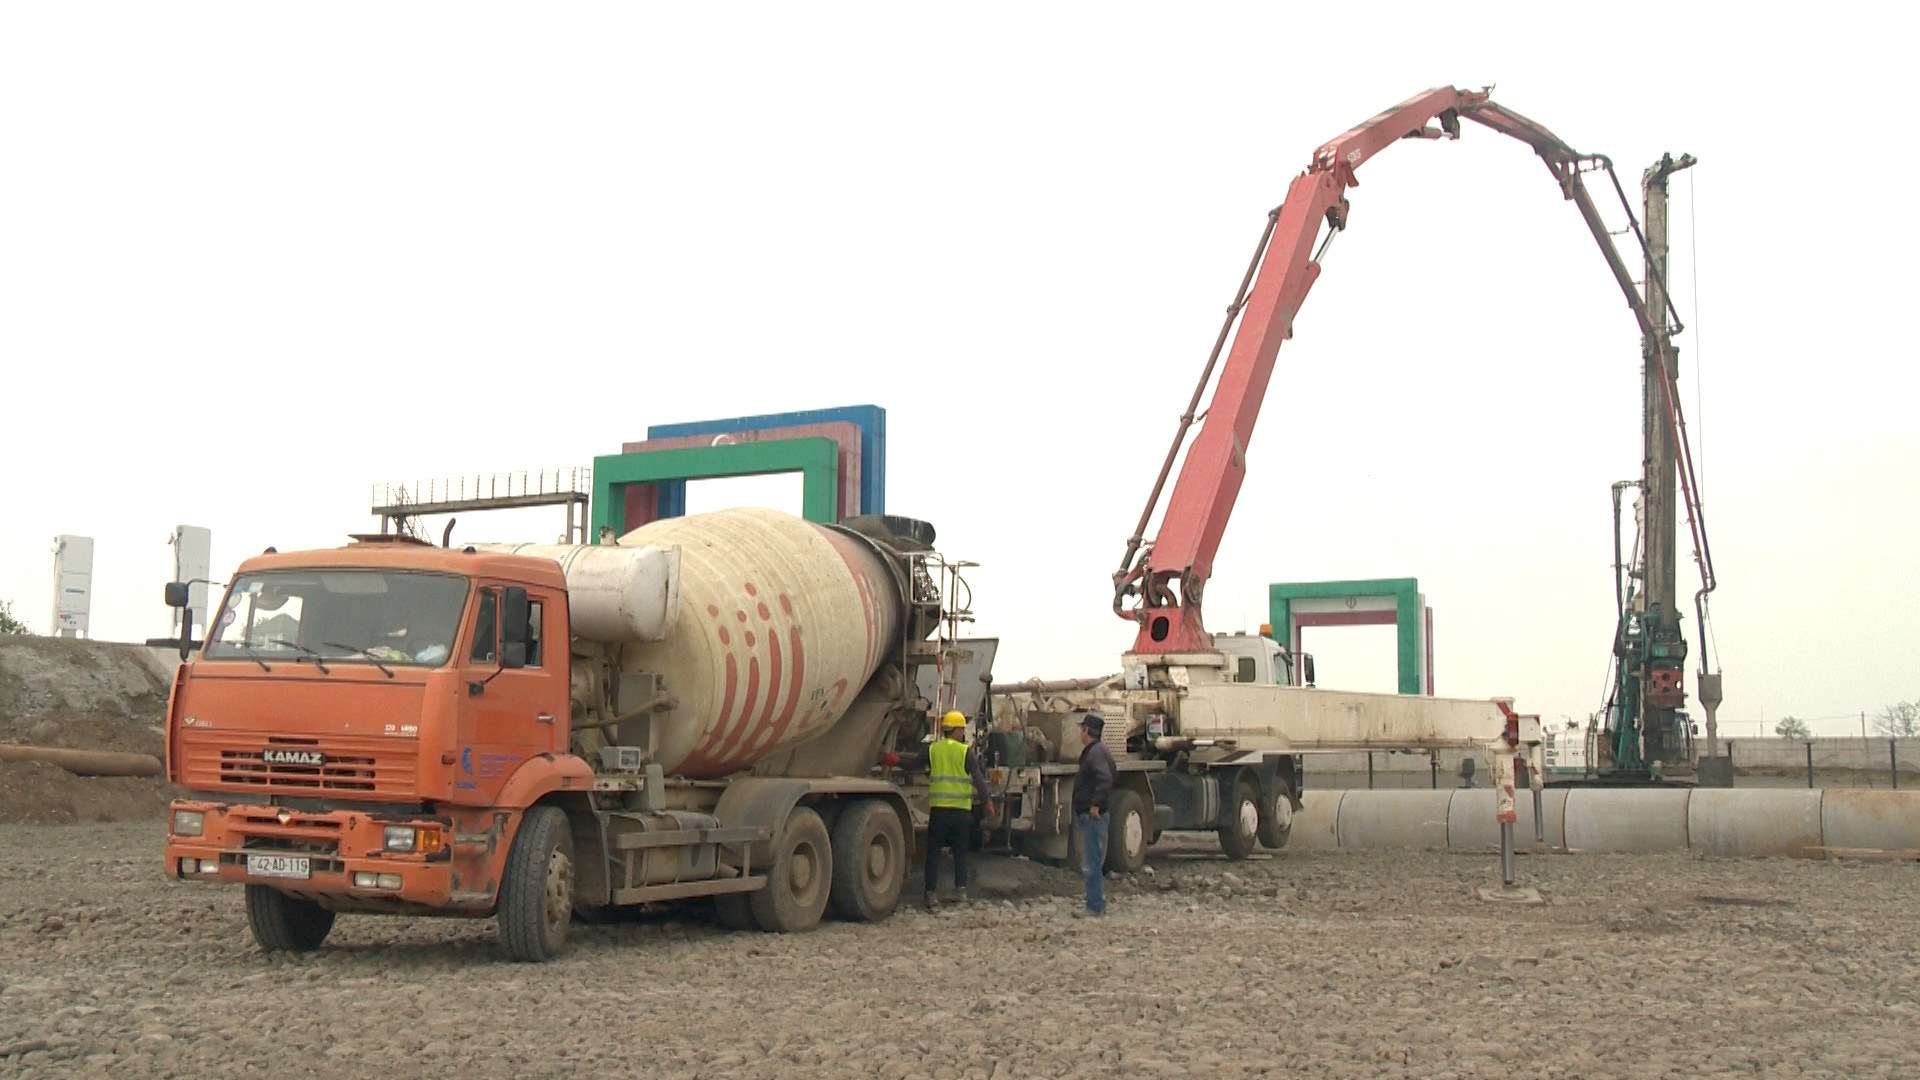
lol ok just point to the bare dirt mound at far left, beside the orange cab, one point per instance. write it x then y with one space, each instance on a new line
80 697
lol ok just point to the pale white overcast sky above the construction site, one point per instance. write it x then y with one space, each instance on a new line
256 258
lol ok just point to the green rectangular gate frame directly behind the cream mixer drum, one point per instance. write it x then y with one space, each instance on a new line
815 458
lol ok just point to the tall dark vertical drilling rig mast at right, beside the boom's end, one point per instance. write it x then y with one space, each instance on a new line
1664 660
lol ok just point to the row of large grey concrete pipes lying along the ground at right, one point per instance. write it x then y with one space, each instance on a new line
1714 822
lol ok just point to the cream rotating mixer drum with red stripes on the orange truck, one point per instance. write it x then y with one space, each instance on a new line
779 627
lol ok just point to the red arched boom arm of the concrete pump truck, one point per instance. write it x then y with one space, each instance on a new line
1166 577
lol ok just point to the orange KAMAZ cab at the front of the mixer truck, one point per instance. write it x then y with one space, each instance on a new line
352 724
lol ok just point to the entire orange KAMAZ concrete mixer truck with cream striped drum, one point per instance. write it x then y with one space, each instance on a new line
527 731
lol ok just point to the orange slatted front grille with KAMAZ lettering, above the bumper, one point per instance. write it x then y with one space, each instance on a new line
318 768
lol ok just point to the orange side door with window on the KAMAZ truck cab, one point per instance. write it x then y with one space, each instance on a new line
519 712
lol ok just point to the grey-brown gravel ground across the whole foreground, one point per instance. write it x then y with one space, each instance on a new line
1307 964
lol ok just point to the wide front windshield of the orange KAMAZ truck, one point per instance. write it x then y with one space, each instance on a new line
341 616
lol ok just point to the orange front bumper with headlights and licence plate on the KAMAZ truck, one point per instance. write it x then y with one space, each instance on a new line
320 856
